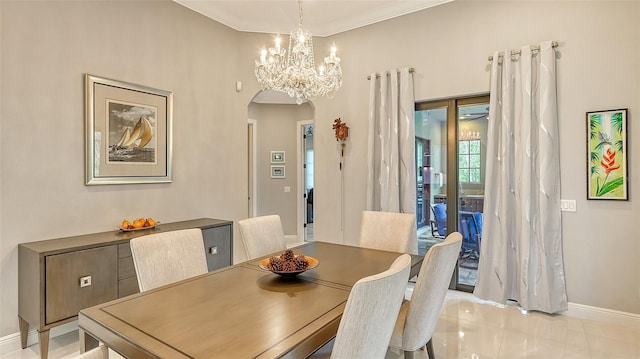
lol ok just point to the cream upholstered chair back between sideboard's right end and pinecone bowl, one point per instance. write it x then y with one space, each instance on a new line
262 235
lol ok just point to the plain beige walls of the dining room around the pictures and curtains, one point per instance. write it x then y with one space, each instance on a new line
47 46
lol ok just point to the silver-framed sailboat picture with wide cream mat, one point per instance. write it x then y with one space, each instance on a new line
128 132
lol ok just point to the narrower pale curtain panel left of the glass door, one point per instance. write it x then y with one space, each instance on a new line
391 180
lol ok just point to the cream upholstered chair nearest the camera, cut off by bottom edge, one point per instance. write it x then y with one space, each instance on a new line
370 313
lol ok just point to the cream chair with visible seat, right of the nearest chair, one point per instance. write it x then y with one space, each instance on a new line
418 317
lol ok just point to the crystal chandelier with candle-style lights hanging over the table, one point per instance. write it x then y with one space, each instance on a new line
294 72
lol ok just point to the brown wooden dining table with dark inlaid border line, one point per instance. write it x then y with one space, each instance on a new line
241 311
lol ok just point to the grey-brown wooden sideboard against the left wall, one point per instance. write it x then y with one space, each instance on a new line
59 277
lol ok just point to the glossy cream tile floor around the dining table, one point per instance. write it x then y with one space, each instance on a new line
476 329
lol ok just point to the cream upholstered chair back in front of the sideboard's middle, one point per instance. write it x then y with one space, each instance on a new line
167 257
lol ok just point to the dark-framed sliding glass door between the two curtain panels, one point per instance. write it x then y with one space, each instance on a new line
452 129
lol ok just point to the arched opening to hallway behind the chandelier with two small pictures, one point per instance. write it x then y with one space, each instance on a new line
283 192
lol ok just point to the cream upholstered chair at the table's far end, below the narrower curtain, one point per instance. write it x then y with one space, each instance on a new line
389 231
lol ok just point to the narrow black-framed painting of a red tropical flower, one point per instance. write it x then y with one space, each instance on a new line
607 149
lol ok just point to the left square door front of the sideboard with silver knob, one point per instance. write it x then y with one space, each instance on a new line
78 280
